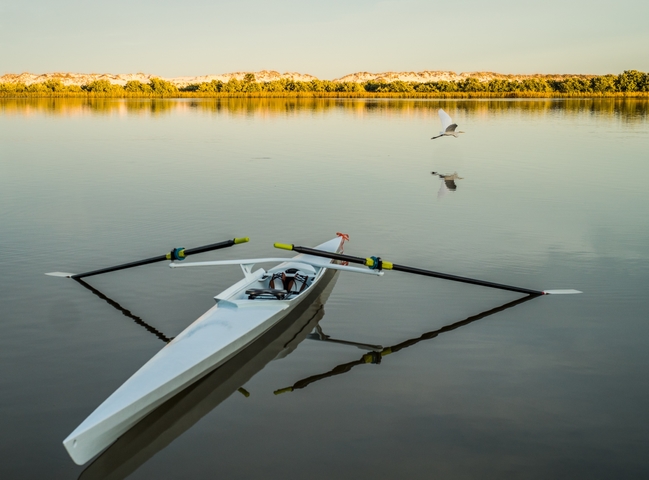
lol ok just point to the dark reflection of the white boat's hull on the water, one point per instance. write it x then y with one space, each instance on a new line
177 415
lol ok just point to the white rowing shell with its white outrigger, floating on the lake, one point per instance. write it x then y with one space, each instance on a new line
243 312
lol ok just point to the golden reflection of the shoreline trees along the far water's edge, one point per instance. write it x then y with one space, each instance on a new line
627 109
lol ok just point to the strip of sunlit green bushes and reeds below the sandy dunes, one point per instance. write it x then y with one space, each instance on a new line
628 82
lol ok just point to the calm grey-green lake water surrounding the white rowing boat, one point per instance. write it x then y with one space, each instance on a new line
550 194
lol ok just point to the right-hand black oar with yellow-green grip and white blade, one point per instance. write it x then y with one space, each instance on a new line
375 263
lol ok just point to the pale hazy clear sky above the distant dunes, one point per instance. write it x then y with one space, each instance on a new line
325 39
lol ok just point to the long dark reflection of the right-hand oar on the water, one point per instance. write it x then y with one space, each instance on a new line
375 357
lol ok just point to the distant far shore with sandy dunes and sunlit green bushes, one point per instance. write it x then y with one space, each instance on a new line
630 83
